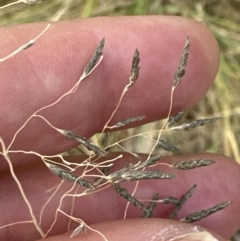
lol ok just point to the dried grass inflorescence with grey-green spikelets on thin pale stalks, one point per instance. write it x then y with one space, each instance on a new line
132 172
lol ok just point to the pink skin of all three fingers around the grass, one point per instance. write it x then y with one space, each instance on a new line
39 75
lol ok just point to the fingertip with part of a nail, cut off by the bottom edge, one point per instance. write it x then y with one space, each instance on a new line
142 229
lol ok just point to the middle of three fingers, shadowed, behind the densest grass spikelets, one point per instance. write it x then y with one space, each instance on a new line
215 184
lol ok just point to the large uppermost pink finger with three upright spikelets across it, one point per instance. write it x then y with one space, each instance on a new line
41 74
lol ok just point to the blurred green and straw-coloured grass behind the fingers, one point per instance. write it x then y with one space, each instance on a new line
222 17
